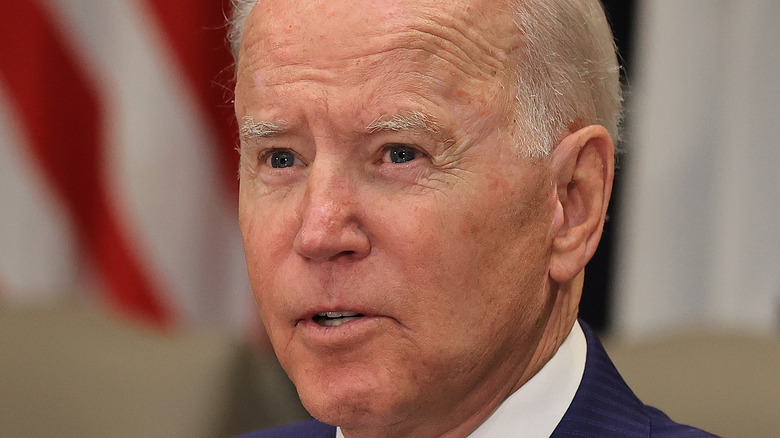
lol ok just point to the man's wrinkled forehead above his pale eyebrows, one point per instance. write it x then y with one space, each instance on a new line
355 60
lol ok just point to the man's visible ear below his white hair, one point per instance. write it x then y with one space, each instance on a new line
583 167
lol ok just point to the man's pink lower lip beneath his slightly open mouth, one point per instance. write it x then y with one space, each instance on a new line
345 335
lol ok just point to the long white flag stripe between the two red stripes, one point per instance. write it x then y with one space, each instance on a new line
162 169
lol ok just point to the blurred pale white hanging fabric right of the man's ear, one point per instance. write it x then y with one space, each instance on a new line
699 240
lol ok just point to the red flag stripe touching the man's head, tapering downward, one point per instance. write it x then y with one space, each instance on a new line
198 36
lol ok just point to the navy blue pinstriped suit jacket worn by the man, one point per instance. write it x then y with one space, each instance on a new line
603 407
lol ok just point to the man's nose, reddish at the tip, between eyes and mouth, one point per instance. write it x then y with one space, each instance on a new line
331 225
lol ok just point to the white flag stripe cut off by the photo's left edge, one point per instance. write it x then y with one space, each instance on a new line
37 250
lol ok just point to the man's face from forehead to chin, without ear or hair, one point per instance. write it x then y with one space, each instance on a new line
379 178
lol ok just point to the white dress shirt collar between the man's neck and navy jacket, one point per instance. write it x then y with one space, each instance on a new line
534 410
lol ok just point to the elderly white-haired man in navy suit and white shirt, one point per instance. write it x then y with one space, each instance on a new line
422 184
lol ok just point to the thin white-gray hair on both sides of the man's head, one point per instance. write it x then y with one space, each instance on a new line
567 72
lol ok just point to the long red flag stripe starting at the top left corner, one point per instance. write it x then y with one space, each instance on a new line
63 120
